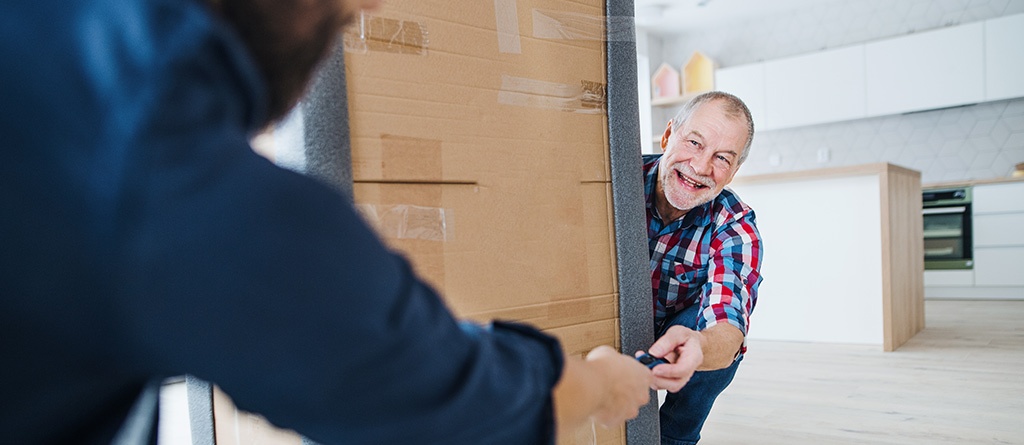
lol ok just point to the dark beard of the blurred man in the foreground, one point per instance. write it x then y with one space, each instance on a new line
288 39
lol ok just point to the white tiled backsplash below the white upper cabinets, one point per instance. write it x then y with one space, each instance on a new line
969 143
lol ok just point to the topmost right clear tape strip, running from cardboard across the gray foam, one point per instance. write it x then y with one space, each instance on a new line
573 26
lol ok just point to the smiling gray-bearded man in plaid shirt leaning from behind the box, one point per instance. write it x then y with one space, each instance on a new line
706 258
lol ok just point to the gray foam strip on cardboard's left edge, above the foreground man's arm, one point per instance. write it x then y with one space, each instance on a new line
329 157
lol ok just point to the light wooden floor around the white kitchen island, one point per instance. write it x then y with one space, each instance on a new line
961 381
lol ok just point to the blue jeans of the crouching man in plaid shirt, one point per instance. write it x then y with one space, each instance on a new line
685 413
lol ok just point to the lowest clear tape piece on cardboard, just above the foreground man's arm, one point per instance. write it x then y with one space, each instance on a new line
410 222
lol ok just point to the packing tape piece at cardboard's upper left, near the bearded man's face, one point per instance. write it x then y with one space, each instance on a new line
388 35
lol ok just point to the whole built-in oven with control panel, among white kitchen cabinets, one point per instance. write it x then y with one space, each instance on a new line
948 229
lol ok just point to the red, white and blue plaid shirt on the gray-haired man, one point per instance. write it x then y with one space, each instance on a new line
717 241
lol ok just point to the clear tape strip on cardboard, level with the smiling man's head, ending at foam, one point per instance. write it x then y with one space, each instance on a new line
589 98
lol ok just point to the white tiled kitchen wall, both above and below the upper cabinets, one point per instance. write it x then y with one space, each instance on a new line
979 142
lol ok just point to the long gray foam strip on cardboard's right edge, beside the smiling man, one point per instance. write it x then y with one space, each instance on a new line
636 319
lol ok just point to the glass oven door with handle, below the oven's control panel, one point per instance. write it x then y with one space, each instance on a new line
948 238
